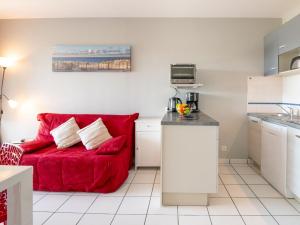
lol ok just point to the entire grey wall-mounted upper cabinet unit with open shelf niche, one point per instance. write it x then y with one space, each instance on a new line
280 47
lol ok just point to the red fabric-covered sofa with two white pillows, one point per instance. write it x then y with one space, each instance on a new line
75 168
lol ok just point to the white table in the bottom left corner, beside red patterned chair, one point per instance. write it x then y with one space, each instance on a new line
17 180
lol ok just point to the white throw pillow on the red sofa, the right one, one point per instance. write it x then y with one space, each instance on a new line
93 135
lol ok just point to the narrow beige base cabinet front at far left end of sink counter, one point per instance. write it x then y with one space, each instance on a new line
254 139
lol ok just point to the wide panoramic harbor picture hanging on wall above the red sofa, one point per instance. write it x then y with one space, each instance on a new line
91 58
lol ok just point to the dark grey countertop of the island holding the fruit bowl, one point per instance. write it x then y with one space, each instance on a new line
196 119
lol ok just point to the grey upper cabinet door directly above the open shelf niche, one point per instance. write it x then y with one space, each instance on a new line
289 35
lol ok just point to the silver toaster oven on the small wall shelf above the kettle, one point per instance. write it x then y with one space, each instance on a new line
183 73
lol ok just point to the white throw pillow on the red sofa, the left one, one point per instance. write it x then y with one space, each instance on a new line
65 135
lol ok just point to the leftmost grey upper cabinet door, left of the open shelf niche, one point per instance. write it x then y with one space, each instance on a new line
271 53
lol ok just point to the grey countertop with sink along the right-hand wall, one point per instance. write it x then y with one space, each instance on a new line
281 119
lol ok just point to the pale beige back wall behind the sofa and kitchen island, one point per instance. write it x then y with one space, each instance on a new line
226 52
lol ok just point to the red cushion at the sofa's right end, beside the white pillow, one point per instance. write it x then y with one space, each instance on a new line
112 146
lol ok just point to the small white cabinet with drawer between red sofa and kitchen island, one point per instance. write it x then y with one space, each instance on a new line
147 142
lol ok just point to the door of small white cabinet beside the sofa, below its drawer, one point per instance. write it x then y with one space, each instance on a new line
148 146
